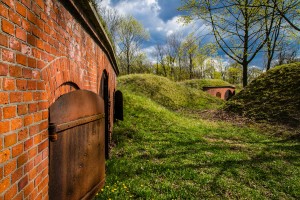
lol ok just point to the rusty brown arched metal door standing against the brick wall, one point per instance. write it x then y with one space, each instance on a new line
77 149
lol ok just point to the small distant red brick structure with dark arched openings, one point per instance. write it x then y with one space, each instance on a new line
223 92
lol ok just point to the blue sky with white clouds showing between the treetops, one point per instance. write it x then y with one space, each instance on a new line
161 18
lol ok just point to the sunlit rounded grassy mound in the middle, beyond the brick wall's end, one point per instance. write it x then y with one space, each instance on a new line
167 93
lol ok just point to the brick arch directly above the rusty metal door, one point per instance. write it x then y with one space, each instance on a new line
60 77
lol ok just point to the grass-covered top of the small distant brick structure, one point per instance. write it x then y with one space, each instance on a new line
200 83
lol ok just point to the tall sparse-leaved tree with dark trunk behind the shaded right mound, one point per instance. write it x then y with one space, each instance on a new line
237 25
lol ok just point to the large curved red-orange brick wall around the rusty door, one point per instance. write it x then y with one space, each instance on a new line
42 47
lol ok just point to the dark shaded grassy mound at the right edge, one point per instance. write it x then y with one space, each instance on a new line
274 96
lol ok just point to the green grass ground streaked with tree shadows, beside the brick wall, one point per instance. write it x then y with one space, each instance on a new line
162 154
